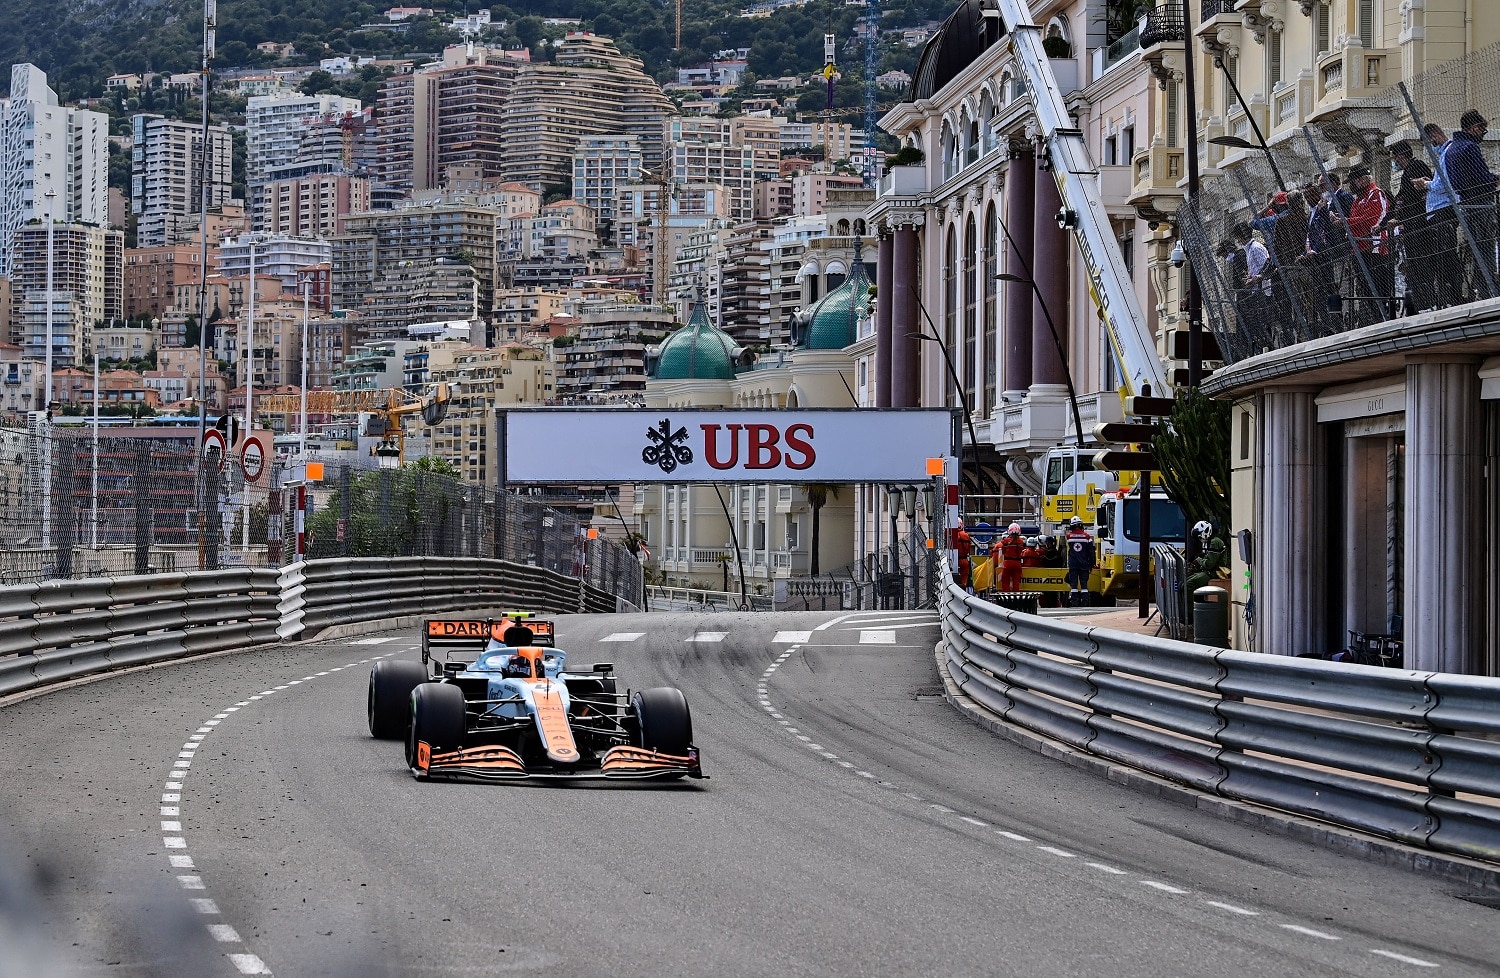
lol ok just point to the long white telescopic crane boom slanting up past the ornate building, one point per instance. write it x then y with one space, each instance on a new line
1082 196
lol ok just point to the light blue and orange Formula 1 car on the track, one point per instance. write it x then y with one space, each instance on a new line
493 701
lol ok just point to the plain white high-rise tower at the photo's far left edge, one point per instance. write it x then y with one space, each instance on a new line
49 149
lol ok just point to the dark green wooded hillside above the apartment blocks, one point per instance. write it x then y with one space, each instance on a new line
82 43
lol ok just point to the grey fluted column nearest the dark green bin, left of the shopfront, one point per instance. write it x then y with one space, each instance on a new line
1291 568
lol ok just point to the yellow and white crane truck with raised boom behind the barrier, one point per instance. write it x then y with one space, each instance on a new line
1064 478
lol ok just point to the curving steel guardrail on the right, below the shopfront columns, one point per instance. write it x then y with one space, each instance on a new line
1412 757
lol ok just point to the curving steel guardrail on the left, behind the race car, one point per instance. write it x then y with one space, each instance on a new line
67 629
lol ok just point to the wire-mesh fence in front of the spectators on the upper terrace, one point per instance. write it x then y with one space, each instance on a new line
1381 209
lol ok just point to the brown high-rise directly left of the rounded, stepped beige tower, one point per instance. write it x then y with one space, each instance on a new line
445 115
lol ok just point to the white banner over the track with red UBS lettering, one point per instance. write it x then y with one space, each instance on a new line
577 446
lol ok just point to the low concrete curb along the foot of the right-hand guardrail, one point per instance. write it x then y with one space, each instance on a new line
1322 835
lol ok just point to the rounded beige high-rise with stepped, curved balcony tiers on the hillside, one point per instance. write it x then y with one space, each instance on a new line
590 89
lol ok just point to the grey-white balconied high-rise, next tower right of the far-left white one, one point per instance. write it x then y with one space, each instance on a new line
167 178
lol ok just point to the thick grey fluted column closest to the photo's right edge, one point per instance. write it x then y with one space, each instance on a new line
1444 596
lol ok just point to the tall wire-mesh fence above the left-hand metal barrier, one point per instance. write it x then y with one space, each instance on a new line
77 506
